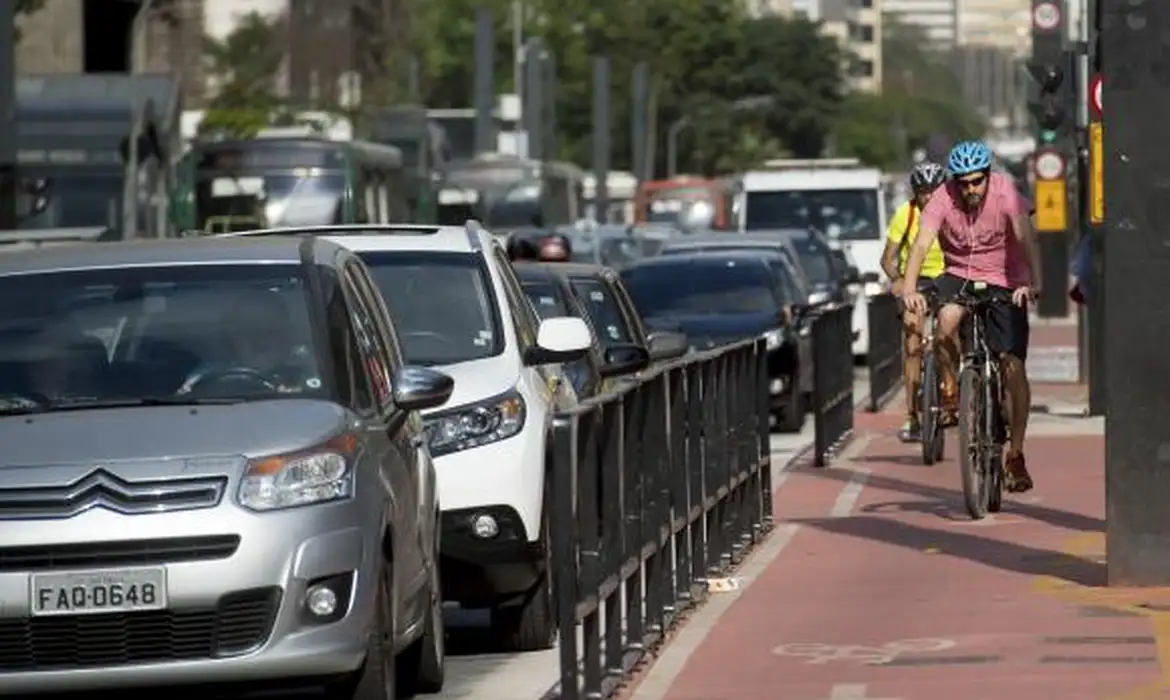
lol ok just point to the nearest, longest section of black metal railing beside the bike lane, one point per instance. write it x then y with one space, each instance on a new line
657 489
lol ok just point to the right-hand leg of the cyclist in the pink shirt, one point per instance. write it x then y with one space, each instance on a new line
1008 334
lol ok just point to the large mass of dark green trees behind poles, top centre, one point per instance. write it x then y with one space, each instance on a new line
705 57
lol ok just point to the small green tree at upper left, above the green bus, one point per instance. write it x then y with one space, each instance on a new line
245 66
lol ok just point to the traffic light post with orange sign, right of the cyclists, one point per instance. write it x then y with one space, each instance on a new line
1050 68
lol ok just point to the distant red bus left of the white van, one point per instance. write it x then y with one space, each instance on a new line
689 203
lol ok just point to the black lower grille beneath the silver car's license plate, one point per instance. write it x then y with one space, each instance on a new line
240 622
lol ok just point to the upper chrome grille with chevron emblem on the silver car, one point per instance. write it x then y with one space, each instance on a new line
102 490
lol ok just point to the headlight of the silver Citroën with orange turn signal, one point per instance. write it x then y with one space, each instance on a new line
316 476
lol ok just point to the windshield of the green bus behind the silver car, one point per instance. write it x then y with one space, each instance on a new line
239 202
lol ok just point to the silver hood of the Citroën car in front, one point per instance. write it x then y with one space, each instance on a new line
141 438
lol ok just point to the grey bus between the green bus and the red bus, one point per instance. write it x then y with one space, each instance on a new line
511 193
